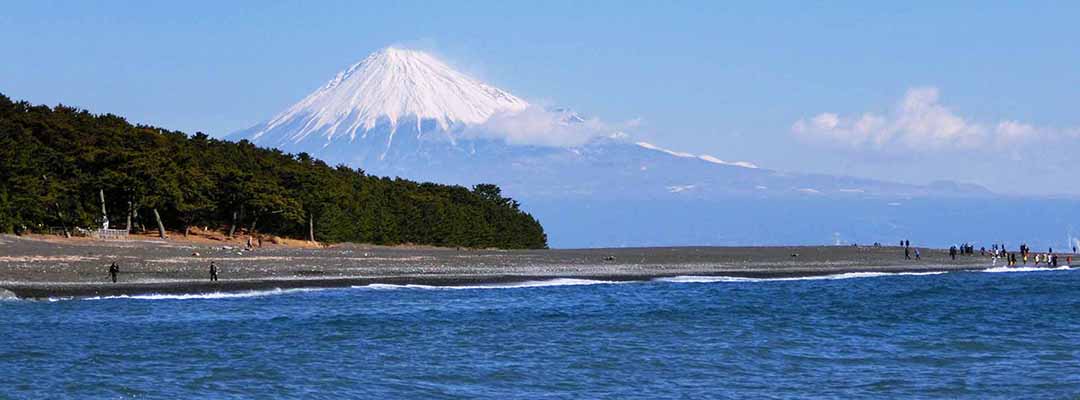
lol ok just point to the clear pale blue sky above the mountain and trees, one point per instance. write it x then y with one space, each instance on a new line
982 92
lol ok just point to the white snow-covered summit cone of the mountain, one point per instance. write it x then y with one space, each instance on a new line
389 87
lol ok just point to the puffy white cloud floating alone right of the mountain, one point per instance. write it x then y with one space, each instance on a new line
920 122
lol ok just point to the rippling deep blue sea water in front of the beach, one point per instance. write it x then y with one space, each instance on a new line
979 336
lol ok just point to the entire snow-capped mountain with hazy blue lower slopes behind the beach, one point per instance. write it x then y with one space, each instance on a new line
404 113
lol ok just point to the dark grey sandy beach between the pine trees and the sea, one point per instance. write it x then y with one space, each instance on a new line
44 268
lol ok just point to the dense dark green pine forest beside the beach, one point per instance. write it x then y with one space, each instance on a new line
61 167
